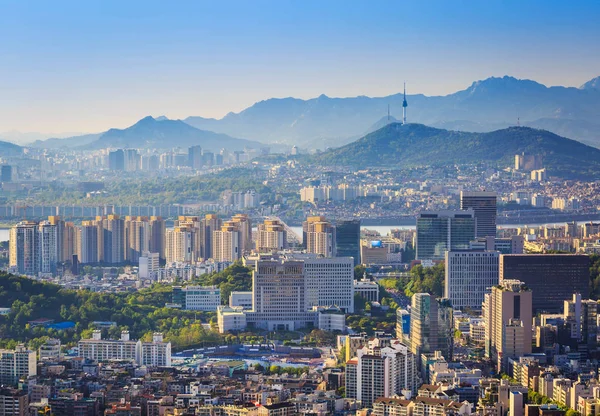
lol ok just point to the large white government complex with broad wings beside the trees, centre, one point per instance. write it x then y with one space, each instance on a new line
293 291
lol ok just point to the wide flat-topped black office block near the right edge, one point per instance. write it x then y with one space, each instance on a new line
551 277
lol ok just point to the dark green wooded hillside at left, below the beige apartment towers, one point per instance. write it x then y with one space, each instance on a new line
142 312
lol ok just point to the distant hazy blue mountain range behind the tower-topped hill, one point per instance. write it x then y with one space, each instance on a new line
486 105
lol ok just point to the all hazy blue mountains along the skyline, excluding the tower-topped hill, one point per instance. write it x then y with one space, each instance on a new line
325 122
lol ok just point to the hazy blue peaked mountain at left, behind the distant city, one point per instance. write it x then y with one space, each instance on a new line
152 133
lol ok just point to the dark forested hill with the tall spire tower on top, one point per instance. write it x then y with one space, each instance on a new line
417 144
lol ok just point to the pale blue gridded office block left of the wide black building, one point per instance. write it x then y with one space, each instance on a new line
470 274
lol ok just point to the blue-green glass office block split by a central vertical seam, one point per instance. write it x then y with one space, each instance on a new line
440 231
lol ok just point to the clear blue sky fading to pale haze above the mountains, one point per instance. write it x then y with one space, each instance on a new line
87 65
